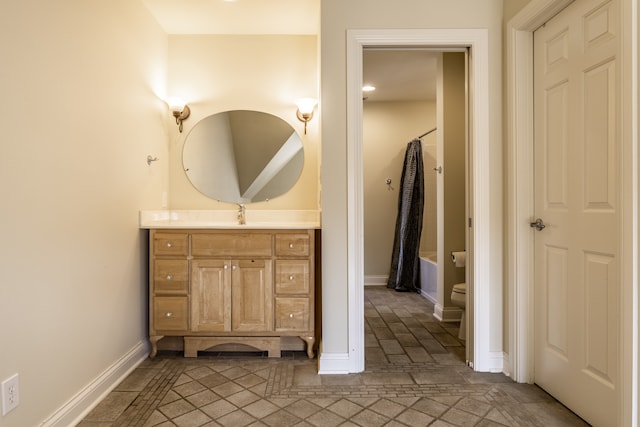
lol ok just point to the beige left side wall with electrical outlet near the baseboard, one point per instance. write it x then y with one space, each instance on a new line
81 83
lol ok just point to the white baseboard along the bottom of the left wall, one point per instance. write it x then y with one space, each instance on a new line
72 412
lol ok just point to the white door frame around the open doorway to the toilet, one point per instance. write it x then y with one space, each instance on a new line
486 325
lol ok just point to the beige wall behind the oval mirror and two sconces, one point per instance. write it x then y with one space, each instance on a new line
217 73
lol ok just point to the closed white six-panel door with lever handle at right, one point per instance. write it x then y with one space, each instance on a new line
577 197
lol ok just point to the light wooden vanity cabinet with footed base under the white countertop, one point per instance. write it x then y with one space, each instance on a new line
232 286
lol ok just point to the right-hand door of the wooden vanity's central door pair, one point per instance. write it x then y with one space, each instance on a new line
252 295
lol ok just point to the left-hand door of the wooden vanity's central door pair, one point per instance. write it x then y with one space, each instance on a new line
211 295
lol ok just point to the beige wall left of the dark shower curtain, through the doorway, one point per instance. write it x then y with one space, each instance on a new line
387 128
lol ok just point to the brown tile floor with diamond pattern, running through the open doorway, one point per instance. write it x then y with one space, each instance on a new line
415 375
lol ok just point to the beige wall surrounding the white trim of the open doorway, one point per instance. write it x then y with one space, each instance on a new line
336 17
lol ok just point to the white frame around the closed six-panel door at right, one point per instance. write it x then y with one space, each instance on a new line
520 205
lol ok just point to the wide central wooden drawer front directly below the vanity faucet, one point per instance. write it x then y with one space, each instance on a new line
231 244
